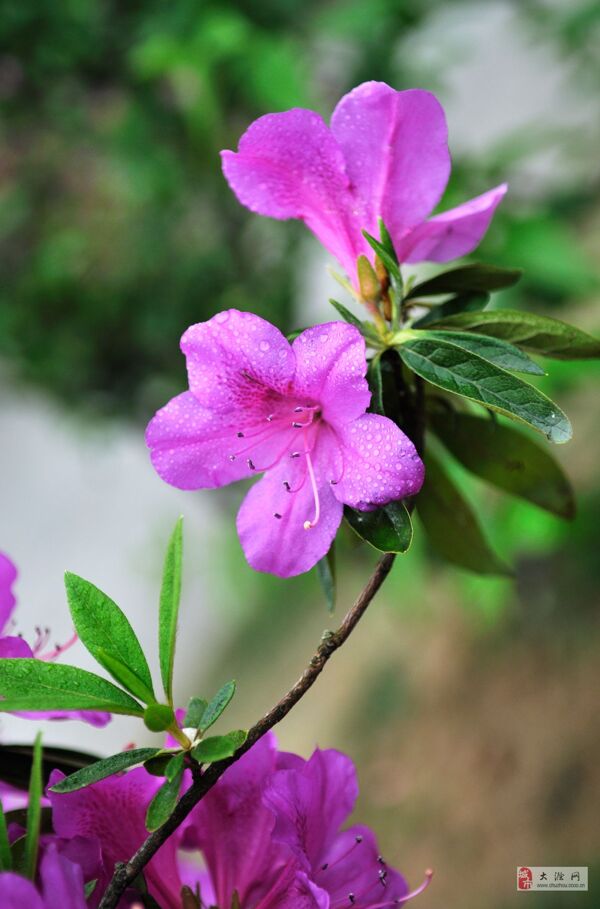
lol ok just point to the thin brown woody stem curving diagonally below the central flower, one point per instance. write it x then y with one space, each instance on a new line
125 874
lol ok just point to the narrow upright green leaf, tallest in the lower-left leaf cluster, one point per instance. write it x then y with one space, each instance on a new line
169 608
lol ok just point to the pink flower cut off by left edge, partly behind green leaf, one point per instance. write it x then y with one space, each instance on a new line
14 646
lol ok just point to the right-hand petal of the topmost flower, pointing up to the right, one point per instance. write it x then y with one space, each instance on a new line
454 233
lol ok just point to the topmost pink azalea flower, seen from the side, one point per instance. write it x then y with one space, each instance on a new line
384 155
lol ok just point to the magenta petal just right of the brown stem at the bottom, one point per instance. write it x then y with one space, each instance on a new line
234 830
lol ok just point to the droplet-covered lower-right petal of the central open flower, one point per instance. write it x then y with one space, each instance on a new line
380 463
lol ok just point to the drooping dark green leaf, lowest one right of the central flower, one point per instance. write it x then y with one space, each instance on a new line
451 525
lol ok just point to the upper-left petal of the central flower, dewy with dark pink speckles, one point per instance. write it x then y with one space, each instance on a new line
236 360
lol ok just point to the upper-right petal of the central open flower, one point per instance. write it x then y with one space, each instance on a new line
330 369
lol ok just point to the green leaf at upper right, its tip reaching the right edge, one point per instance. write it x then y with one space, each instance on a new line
537 334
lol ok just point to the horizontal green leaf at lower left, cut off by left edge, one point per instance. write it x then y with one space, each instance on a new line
35 685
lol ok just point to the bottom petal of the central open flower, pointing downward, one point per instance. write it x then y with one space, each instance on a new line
281 545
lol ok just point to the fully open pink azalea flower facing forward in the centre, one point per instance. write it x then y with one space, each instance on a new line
295 412
